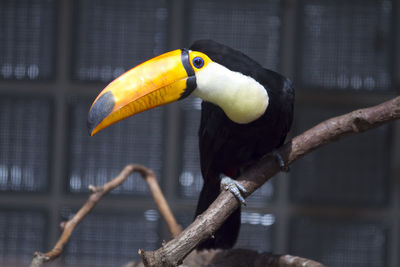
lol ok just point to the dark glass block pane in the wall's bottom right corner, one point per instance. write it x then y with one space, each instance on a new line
340 243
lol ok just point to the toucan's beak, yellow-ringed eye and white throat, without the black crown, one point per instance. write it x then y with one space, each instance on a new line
173 76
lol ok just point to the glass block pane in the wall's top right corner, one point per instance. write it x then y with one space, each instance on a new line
343 49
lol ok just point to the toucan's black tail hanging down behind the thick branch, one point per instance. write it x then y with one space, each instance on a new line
227 234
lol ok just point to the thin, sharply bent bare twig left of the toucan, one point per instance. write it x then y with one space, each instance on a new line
96 194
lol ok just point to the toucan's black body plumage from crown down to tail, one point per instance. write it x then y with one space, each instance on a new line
227 147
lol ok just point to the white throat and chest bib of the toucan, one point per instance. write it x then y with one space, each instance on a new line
241 97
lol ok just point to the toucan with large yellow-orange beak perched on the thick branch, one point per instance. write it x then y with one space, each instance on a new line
246 112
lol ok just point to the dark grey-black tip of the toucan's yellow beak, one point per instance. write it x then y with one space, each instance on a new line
100 110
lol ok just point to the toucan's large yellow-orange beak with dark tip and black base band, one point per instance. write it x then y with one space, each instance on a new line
156 82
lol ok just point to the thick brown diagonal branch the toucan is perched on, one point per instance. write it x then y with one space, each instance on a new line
172 253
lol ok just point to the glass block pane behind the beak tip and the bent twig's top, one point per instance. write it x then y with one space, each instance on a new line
96 160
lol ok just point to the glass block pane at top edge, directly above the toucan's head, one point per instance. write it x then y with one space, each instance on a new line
253 27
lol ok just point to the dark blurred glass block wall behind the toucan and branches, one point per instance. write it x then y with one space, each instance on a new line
339 205
